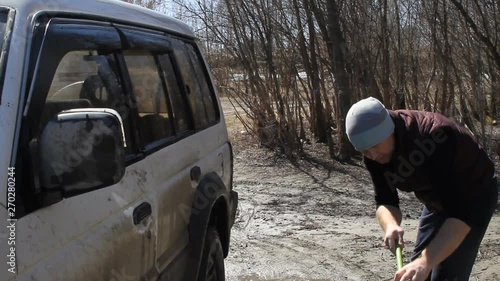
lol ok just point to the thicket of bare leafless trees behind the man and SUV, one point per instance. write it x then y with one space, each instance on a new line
294 67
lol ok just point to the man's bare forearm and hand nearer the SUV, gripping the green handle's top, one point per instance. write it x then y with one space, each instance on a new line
389 218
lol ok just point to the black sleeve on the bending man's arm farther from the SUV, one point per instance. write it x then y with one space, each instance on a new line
441 168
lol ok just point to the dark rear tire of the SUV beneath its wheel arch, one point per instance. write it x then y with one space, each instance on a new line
212 259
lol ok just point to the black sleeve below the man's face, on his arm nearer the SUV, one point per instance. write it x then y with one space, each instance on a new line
385 194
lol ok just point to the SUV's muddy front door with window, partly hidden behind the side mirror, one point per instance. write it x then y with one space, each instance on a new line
106 234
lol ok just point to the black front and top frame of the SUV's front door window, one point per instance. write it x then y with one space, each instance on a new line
47 51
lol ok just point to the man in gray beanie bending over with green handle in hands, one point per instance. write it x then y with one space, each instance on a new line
449 172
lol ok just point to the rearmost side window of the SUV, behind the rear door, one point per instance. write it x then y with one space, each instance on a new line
196 85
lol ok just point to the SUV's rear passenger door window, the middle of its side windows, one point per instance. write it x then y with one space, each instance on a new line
149 91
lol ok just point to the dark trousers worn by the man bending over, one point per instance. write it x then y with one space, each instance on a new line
458 266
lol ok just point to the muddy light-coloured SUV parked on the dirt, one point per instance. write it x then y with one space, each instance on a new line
116 161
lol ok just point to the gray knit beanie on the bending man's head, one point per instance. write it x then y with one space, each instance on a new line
368 123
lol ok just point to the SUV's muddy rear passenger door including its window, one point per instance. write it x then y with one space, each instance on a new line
164 121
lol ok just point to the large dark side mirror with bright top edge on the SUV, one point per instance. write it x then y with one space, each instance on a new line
80 150
